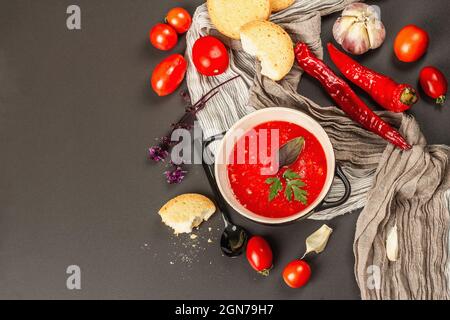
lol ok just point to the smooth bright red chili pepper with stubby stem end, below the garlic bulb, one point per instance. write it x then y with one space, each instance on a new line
385 91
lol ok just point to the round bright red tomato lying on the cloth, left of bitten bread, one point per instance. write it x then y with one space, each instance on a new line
210 56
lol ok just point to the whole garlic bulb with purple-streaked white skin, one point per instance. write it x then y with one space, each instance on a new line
359 28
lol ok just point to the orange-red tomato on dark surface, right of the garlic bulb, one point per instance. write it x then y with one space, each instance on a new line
411 43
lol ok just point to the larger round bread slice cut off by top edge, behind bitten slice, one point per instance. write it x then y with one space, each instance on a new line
228 16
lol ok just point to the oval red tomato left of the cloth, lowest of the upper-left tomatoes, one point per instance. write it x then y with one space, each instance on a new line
169 74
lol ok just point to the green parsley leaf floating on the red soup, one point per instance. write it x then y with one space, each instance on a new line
294 186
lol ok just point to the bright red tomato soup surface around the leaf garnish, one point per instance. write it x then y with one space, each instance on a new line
249 185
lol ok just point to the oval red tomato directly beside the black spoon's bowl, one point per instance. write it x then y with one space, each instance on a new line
259 254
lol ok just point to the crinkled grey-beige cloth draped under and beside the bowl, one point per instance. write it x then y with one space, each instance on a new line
406 189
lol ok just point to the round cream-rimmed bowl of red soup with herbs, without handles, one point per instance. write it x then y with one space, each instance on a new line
250 170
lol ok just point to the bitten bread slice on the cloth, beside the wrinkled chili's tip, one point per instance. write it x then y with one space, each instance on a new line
271 45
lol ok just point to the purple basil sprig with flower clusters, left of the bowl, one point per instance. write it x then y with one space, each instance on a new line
160 152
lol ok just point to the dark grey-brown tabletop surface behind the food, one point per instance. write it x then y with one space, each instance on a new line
76 115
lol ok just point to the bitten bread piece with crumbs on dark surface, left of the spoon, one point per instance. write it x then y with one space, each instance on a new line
186 211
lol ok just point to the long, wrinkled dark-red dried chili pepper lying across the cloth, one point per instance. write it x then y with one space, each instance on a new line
346 98
